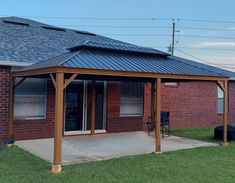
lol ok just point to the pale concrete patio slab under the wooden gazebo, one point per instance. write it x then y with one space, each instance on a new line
79 149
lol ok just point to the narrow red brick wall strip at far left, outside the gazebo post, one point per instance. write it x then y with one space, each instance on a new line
4 101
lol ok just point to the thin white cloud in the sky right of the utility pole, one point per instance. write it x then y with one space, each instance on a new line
214 44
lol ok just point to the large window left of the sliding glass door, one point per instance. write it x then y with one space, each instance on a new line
30 99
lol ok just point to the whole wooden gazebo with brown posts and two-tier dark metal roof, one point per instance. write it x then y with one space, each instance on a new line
99 61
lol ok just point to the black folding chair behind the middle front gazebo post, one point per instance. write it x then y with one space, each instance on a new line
165 123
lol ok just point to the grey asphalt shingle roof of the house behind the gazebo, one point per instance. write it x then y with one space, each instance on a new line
34 43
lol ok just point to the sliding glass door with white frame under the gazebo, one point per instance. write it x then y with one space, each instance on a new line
78 107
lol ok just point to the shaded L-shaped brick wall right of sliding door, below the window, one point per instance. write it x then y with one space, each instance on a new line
115 123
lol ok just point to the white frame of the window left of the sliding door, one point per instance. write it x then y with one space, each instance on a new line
45 106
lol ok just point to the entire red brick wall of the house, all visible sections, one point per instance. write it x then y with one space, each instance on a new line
191 104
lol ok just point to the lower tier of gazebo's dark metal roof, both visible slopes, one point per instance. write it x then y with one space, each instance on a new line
104 60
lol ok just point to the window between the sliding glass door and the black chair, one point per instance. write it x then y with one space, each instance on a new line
131 103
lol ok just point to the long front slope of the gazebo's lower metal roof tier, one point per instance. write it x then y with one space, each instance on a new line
135 63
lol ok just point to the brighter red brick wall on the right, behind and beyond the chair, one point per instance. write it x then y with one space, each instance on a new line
192 104
